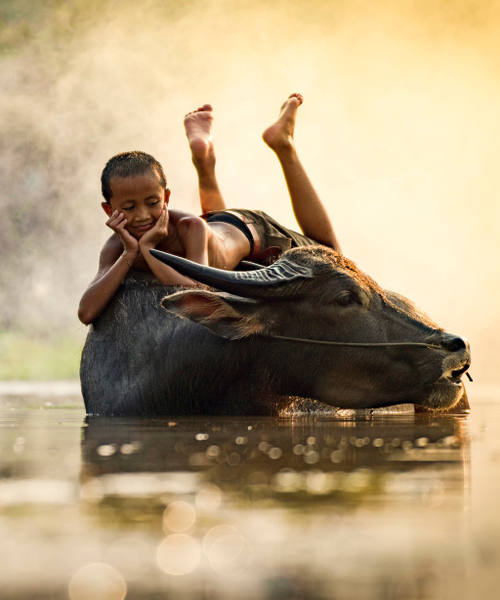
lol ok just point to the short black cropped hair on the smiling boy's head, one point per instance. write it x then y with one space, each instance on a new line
129 164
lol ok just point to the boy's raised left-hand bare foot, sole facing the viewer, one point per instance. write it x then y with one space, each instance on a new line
198 126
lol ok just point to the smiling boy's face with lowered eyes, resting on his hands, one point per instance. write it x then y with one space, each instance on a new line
140 198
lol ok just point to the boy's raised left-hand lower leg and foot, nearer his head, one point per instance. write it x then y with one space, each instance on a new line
198 126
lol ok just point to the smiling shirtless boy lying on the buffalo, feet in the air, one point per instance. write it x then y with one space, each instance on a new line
136 200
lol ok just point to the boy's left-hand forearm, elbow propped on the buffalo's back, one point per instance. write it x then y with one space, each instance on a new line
114 264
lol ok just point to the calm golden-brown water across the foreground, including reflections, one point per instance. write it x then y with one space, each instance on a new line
362 506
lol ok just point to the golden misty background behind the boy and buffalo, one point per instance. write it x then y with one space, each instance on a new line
399 133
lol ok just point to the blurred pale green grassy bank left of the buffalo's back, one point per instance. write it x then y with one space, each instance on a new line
25 358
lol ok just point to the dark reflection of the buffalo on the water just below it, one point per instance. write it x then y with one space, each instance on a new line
280 460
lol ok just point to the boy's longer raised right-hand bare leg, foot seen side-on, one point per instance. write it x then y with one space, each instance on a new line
309 211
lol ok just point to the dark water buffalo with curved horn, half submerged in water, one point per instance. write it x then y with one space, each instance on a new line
230 352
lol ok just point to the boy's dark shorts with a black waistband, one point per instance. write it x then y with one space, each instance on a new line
268 239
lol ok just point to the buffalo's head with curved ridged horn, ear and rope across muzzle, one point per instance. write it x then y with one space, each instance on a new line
316 293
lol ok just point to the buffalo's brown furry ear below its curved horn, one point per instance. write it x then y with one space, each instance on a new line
225 315
